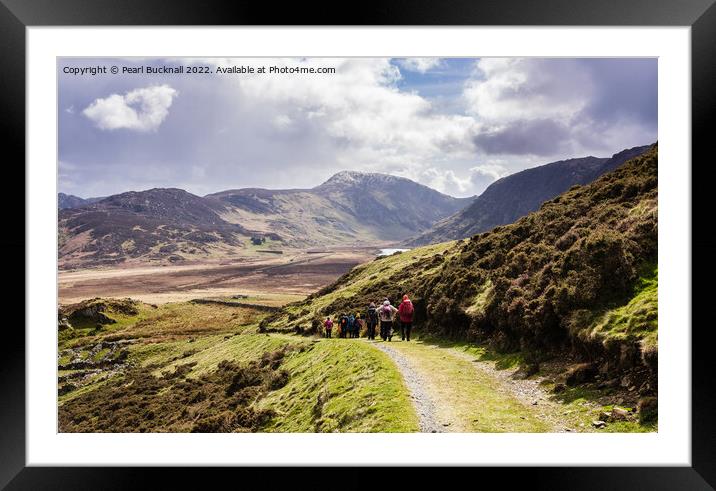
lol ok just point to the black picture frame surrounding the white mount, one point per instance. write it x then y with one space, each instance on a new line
700 15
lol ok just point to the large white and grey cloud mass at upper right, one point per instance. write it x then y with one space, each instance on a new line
562 106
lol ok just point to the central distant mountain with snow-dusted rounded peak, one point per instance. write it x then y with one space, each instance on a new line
349 207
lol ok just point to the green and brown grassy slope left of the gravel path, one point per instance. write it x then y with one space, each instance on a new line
125 366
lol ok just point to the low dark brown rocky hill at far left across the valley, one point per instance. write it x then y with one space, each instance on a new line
153 224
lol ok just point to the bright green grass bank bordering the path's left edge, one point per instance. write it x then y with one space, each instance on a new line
342 385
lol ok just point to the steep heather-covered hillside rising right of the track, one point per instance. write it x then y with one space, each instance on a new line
578 278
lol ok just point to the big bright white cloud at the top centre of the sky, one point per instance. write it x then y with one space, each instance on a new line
358 111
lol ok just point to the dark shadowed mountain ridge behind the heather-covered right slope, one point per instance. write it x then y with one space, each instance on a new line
516 195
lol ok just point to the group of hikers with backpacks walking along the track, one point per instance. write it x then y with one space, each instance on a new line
382 318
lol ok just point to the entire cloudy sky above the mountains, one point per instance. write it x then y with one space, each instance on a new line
454 124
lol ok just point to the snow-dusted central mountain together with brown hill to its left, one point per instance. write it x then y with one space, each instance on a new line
172 224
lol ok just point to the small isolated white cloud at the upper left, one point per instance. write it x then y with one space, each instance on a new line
140 110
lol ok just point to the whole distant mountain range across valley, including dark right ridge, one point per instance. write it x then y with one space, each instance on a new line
350 208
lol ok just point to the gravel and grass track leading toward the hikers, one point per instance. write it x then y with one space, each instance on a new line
454 393
